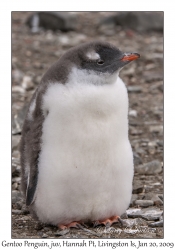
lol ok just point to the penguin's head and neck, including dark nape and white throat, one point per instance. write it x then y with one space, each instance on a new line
93 62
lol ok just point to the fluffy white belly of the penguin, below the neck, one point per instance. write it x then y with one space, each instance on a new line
86 163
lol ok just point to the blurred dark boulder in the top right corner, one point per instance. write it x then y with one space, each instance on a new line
138 21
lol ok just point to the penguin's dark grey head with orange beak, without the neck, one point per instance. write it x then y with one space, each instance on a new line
103 57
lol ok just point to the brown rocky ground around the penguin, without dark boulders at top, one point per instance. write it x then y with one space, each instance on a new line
32 53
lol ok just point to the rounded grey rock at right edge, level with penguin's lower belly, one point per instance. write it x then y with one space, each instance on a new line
153 167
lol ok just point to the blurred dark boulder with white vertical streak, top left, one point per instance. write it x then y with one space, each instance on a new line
64 21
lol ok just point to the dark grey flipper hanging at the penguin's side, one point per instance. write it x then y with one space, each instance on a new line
30 149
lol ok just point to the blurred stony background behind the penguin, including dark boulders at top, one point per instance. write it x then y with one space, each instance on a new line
40 38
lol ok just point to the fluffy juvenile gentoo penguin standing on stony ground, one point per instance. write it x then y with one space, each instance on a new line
76 158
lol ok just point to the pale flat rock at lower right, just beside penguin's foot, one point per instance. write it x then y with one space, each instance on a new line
150 213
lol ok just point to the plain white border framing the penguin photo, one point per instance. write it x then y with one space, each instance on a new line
5 96
